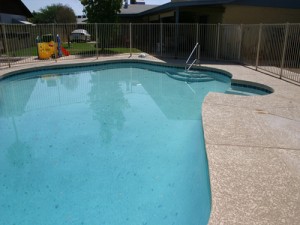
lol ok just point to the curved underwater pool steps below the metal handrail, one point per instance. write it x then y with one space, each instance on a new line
190 77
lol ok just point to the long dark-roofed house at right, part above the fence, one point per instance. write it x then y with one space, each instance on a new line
219 11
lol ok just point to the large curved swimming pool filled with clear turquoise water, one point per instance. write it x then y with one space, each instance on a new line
116 143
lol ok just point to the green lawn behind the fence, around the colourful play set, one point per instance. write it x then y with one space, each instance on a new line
76 49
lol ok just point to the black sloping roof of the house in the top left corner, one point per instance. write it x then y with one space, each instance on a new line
15 7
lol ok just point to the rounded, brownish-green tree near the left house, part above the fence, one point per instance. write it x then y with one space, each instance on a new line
55 13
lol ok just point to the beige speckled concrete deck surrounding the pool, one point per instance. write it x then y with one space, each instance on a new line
253 148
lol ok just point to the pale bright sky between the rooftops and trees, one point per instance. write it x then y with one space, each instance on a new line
35 5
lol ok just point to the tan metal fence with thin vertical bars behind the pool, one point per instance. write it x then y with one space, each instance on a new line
273 48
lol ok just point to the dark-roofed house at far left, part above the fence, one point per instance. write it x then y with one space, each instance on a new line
14 11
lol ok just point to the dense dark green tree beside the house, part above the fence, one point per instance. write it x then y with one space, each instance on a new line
102 11
